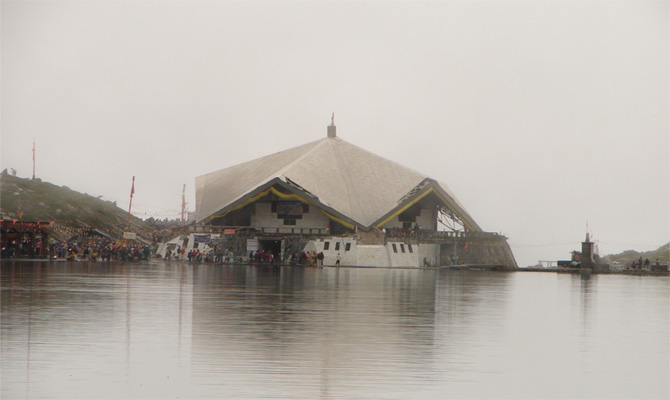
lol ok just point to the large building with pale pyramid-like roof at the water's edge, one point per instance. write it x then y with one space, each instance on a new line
334 197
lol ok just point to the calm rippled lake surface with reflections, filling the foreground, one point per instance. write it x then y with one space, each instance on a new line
174 331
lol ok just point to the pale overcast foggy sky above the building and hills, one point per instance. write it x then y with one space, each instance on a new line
539 115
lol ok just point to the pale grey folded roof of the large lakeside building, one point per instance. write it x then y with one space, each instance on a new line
354 182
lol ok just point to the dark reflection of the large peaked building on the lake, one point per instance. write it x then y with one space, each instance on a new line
316 328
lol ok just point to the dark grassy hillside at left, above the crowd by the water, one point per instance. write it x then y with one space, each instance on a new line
43 201
